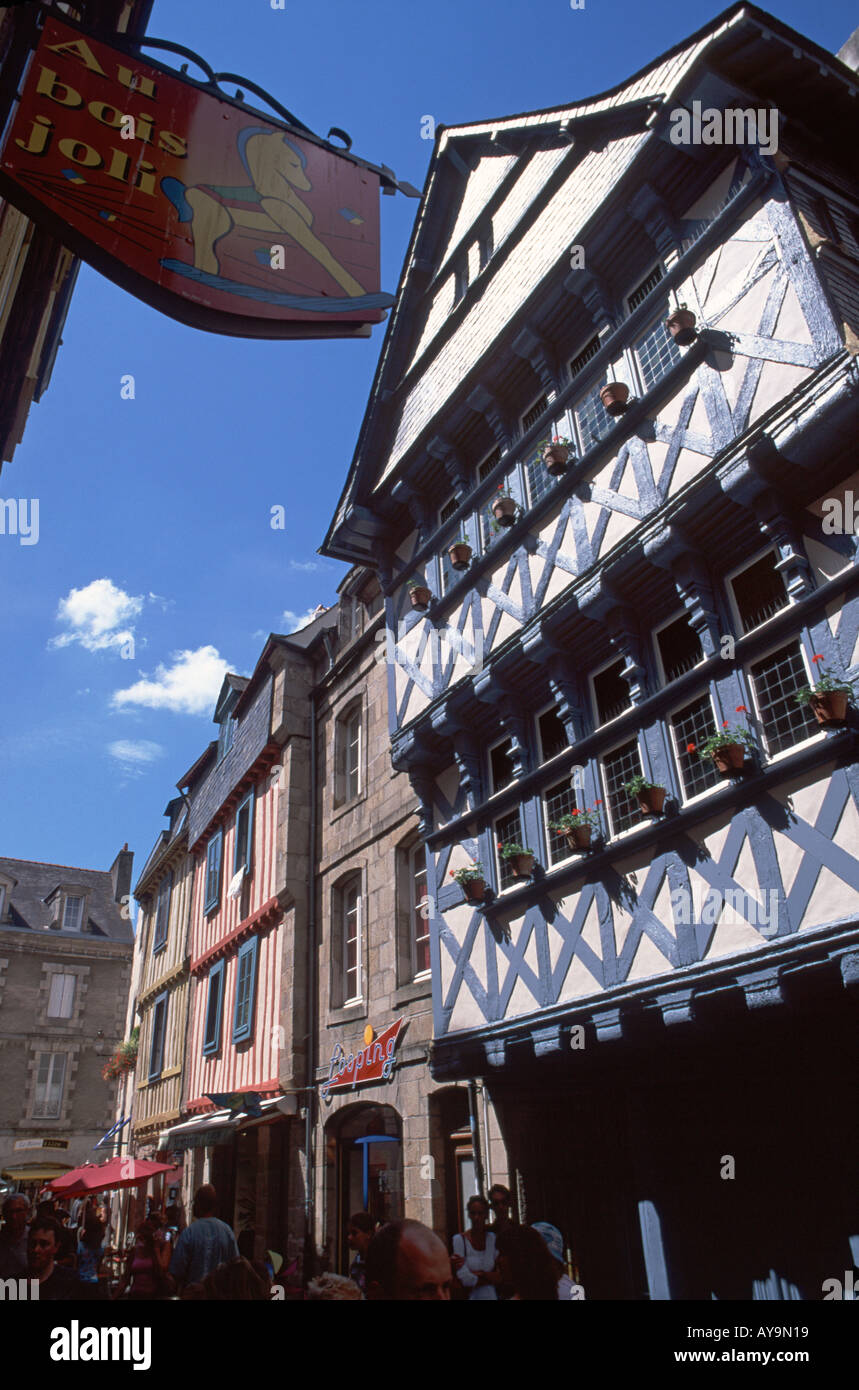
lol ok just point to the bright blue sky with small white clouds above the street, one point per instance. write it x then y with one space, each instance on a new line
155 512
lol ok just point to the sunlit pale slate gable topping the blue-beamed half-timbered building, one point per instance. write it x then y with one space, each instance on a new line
537 142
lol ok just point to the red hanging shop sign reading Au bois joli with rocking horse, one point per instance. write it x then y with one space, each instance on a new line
190 199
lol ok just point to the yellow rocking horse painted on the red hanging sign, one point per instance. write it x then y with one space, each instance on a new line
272 204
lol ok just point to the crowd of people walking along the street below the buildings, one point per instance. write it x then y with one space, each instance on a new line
66 1252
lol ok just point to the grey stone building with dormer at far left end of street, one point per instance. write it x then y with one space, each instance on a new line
66 949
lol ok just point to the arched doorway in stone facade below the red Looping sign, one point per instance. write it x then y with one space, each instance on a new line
365 1149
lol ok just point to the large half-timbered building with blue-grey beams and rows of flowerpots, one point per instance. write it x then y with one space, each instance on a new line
666 280
